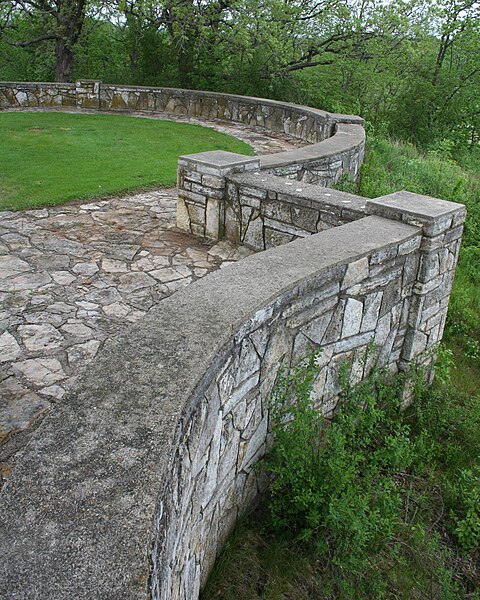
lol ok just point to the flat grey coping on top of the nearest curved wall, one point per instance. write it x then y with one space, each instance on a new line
77 515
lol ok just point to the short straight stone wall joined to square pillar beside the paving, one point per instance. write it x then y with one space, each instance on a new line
225 195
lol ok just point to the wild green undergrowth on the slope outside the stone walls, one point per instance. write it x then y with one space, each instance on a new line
381 502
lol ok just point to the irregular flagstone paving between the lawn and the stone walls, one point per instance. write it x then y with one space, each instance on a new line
73 276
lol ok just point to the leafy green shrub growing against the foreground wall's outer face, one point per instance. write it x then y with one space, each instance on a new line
338 486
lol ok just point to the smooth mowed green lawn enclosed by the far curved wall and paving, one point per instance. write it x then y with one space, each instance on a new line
51 158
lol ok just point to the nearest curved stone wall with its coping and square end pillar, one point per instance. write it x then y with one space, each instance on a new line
129 488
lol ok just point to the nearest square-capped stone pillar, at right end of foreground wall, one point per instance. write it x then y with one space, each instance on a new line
442 226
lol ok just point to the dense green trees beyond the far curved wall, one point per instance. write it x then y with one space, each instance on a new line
411 68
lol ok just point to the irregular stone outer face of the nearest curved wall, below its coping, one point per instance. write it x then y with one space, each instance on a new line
340 310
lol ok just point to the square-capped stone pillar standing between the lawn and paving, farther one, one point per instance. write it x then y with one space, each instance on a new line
201 188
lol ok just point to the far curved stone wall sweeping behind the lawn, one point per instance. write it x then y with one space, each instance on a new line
337 141
